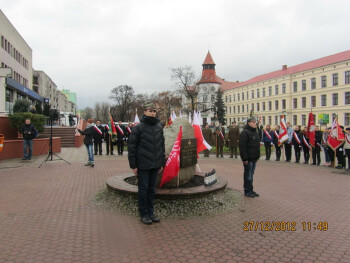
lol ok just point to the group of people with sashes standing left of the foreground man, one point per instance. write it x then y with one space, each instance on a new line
96 134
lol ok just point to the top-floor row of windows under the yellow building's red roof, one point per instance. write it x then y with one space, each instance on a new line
245 95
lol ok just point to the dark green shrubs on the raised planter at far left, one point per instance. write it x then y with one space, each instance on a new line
18 119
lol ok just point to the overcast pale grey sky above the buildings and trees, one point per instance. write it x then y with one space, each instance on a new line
91 46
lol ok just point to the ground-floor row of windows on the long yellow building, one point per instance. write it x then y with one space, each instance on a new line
265 120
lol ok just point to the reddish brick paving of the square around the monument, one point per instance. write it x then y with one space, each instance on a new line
46 216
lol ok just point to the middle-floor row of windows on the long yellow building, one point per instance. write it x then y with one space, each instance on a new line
268 106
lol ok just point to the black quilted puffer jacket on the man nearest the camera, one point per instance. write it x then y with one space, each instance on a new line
146 149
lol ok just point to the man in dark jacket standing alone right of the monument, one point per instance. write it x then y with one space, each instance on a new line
249 149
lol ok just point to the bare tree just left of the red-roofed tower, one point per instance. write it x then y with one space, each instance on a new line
185 81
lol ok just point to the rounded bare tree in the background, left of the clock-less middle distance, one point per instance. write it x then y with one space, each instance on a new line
124 96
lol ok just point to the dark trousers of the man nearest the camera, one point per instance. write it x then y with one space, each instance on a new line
147 180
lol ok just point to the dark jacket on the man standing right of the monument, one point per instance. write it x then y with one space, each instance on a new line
249 144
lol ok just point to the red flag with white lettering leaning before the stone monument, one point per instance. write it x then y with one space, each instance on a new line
172 166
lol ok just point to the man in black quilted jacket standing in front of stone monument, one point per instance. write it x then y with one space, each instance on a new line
146 153
